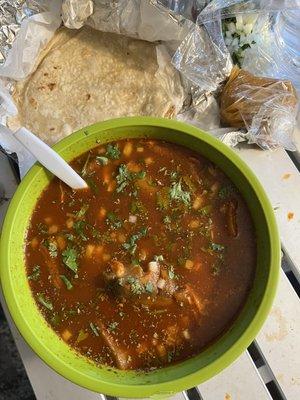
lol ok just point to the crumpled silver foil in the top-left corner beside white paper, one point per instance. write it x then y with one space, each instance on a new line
12 13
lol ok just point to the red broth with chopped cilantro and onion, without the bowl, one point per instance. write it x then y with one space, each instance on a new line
150 264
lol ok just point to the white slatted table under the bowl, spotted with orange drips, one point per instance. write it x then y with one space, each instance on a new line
270 368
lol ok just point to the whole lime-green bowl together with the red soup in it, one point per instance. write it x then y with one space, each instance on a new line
155 277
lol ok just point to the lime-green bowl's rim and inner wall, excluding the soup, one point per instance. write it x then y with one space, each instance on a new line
166 381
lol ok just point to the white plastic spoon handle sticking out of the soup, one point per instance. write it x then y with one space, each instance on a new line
49 158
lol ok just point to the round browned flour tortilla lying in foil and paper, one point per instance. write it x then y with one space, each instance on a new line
85 76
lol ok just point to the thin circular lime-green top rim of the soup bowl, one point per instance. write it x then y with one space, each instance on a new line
182 383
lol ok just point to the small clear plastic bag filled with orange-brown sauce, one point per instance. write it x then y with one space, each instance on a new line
266 107
